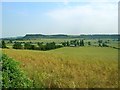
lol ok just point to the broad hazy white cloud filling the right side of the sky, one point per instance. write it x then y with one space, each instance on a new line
90 18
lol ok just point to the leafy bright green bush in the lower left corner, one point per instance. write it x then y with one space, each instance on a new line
12 76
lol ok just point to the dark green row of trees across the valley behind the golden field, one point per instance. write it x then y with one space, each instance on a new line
51 45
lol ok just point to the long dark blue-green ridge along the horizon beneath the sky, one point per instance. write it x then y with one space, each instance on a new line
91 36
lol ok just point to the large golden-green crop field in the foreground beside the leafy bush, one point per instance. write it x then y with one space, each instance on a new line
84 67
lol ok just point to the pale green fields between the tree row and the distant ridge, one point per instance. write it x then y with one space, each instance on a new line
94 42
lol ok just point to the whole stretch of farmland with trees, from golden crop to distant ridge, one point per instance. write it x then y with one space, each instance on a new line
88 62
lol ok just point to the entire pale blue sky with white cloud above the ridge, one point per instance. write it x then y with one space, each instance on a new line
71 17
